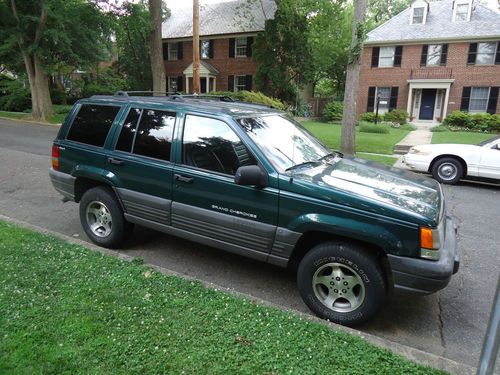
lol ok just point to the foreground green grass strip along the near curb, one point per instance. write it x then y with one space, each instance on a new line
67 309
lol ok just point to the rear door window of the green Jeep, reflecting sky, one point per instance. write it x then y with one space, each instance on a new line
147 132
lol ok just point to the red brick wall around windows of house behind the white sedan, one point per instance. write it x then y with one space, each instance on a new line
463 74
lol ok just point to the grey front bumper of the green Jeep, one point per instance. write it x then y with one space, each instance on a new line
423 276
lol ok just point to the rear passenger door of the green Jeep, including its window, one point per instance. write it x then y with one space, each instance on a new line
140 166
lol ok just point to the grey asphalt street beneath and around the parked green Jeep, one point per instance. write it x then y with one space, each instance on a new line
450 323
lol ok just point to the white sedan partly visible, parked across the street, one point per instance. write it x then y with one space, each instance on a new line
448 163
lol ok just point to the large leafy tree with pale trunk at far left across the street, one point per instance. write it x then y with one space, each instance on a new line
45 34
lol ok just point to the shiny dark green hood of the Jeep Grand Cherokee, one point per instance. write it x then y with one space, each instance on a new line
375 187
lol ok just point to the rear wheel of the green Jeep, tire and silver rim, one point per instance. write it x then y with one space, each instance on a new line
102 217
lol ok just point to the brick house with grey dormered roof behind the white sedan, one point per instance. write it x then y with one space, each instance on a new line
431 59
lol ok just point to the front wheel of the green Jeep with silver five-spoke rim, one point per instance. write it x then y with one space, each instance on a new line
342 283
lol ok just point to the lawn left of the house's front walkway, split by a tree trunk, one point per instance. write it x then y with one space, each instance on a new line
329 134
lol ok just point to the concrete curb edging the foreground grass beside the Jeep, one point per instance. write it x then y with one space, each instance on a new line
413 354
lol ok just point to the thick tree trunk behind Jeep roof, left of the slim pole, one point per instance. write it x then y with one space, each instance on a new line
157 65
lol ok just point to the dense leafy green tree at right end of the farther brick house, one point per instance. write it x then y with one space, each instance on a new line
282 51
